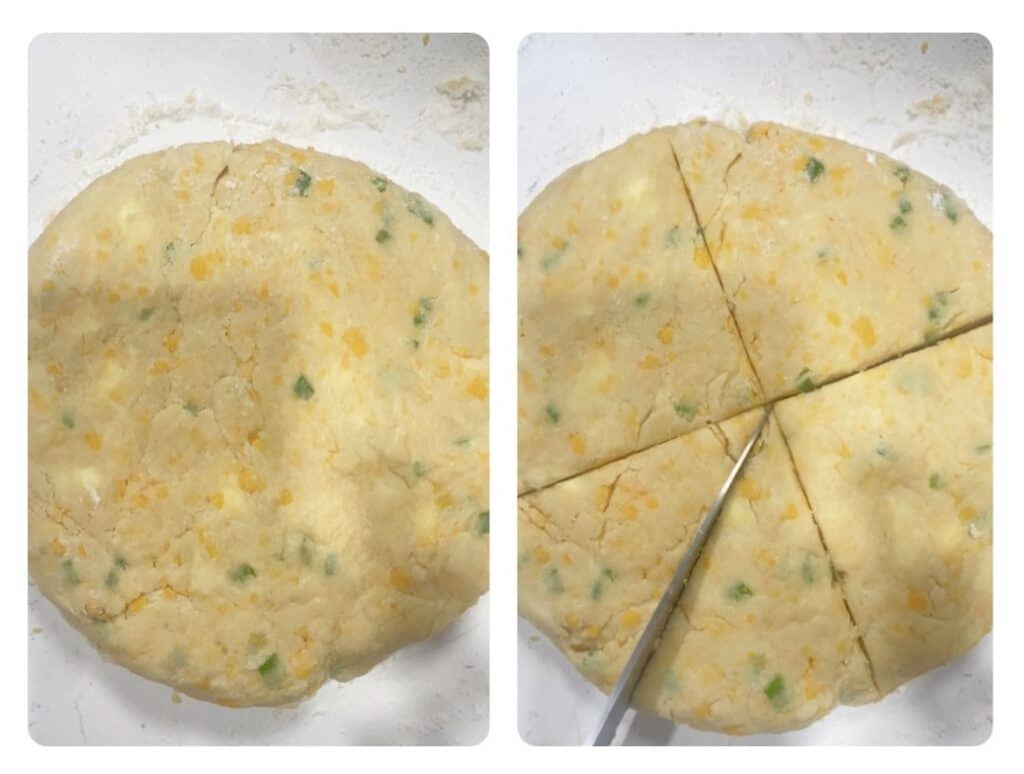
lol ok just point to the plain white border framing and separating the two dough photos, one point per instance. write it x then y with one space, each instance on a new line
504 27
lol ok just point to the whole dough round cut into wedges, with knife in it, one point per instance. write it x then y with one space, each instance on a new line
668 288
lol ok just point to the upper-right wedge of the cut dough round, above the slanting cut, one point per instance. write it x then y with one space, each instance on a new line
836 259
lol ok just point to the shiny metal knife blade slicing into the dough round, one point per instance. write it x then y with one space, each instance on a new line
619 700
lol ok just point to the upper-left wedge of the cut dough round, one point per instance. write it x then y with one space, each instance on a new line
625 336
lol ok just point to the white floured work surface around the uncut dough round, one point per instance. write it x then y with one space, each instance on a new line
414 108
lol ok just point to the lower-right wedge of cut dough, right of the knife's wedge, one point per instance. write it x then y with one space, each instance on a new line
905 499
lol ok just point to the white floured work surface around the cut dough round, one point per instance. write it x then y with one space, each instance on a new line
580 96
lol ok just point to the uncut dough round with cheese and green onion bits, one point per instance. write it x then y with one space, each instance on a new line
259 402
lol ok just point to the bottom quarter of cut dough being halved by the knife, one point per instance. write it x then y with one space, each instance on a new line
761 640
